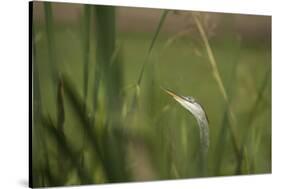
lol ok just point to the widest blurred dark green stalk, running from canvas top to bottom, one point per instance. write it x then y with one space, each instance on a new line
108 76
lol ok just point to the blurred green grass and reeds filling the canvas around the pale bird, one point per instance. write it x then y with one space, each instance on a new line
97 119
